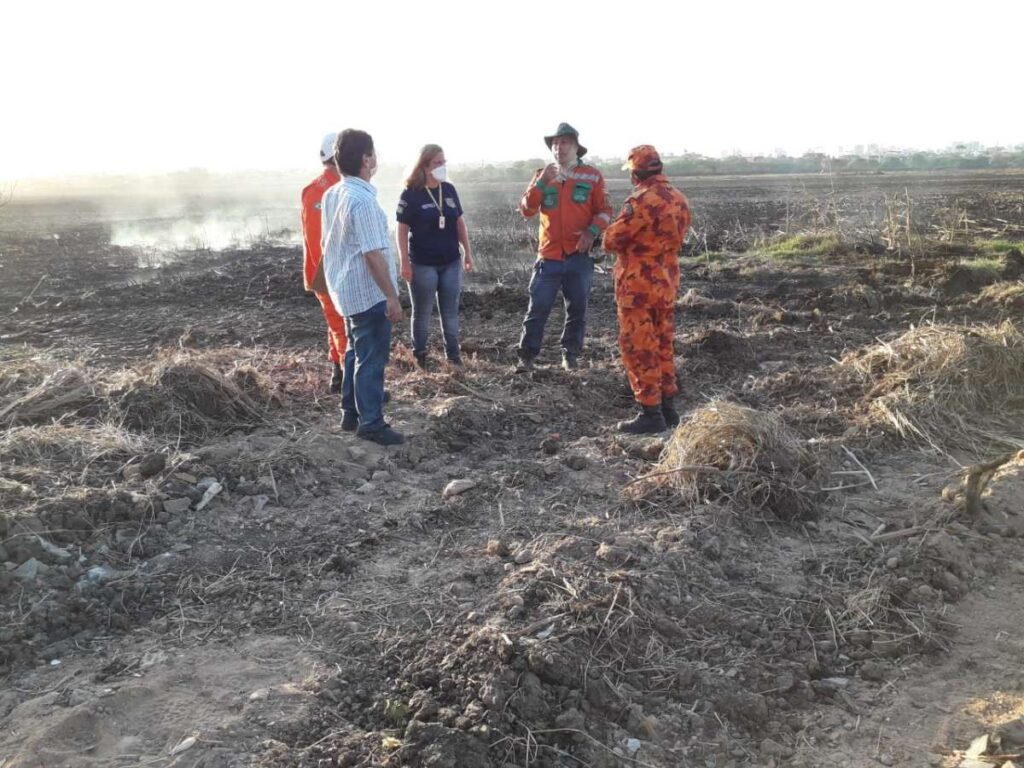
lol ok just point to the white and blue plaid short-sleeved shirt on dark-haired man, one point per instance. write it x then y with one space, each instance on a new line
354 225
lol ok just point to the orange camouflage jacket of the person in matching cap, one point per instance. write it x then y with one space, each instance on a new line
647 238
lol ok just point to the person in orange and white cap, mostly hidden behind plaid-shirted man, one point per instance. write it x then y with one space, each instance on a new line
312 197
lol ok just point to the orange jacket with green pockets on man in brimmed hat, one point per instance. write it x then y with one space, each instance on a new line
568 208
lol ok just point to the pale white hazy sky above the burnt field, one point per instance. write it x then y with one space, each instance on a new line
145 87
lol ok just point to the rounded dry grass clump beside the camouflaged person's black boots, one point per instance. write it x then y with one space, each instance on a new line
749 457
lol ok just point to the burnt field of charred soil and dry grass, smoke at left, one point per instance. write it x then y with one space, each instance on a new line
821 567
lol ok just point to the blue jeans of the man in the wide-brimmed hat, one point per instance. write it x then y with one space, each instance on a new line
574 277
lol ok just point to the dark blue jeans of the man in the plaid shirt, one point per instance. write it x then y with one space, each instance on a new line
363 382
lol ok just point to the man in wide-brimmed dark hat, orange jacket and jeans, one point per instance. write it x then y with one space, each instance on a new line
575 210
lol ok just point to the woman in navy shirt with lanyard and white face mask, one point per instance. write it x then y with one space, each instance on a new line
431 230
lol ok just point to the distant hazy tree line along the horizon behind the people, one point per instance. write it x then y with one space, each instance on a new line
699 165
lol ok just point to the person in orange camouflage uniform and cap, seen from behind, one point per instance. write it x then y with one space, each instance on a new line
647 238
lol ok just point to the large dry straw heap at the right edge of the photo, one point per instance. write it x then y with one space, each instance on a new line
934 382
